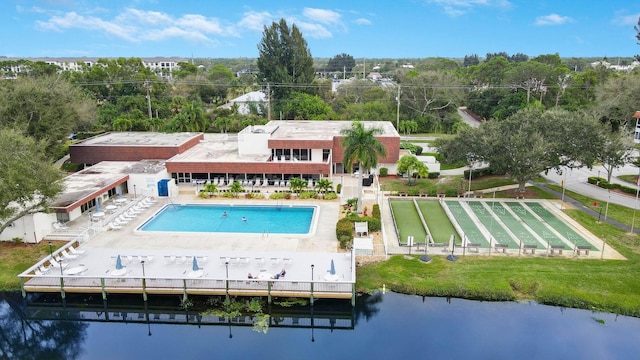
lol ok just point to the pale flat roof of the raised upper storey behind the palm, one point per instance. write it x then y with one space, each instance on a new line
322 130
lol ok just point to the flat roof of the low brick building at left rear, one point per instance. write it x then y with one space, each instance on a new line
138 139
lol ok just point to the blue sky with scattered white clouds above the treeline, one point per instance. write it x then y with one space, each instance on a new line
363 29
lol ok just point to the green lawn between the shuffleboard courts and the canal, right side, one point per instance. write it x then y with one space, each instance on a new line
604 285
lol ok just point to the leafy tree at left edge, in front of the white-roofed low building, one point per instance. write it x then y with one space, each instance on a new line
29 180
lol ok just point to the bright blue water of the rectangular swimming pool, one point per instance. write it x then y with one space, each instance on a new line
229 219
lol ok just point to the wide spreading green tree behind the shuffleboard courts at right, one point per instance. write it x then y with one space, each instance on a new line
527 143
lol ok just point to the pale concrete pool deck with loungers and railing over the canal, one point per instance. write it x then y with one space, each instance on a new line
224 259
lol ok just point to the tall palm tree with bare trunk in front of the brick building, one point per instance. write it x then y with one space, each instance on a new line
361 145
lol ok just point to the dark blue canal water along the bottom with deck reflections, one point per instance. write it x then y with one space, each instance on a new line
381 326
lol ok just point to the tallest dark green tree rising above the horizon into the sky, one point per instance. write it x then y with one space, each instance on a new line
284 59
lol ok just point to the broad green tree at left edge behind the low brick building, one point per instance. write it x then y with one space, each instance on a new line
46 108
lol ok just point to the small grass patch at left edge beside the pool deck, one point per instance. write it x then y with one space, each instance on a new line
16 258
